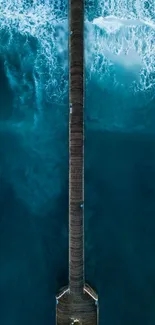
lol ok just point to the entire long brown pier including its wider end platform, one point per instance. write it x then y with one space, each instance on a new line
77 303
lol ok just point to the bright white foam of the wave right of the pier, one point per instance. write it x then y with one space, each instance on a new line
123 36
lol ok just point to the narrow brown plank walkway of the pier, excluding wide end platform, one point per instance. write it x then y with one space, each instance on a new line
76 145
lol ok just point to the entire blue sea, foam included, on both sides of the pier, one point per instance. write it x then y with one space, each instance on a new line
119 160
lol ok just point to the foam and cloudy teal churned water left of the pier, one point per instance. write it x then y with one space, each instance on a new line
33 49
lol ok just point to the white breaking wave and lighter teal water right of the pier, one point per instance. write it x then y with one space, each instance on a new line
120 58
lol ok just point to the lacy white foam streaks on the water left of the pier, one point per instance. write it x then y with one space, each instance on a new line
41 23
